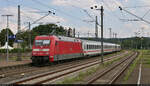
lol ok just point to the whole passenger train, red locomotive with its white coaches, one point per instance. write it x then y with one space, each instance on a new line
54 48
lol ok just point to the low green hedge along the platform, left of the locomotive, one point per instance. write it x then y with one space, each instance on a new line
16 50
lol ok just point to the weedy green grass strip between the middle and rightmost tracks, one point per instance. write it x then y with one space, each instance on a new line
82 75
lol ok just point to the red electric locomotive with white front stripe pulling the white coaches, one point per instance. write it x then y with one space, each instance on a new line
54 48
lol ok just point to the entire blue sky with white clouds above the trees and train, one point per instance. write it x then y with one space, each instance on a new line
77 14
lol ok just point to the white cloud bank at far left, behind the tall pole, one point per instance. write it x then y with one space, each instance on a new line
26 16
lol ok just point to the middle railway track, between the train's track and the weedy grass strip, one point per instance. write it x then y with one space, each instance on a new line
53 75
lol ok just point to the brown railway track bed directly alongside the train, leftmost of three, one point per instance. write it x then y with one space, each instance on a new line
24 71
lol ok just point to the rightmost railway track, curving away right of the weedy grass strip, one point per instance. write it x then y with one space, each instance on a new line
112 73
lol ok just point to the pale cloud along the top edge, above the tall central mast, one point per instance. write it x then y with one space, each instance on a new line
109 5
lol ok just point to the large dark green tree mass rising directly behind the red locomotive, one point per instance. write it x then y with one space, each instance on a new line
40 30
